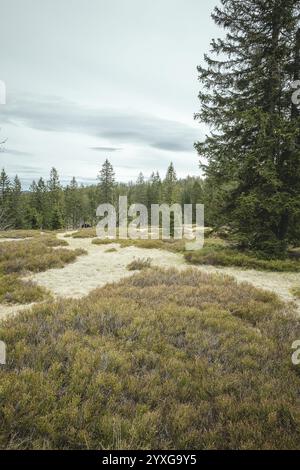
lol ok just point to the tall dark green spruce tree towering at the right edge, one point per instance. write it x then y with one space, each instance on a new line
246 100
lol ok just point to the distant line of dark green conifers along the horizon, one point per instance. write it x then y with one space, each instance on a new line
50 206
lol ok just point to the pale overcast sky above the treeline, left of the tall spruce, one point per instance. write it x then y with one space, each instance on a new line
91 79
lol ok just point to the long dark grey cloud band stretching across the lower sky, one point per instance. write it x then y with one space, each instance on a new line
117 126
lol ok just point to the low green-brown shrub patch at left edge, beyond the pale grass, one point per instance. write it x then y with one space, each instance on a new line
37 254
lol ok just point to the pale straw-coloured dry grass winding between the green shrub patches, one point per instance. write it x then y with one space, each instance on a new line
107 262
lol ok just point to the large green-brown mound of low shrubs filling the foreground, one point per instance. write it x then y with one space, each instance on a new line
161 360
